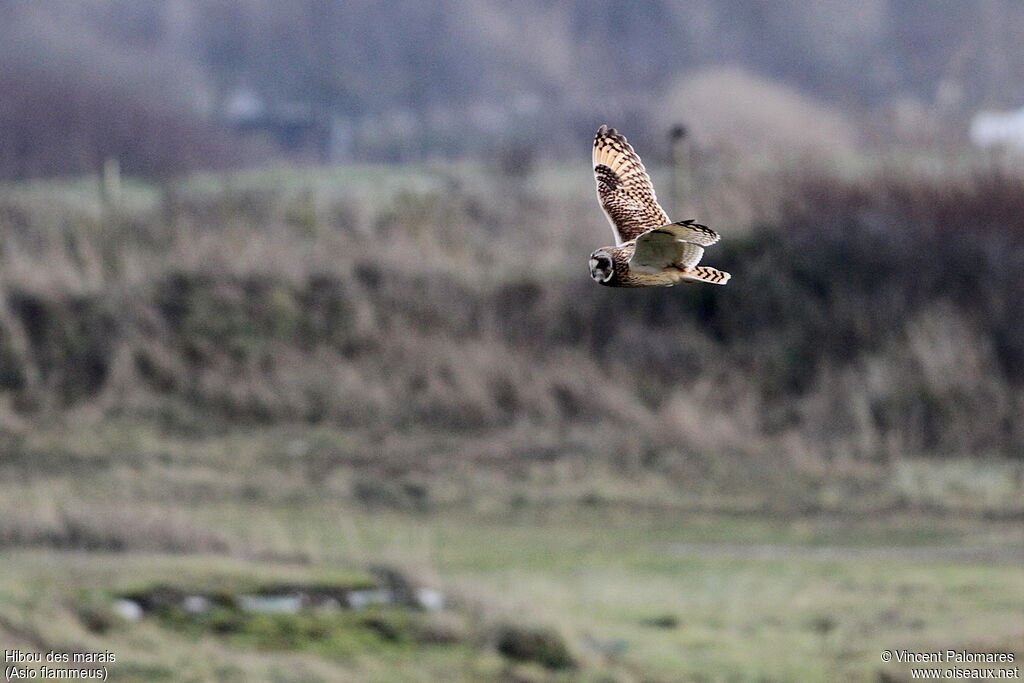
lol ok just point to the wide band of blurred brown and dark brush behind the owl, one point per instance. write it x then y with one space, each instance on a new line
876 318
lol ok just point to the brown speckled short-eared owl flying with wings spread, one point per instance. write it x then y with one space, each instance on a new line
650 250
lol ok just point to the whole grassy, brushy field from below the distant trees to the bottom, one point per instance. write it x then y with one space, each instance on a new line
391 379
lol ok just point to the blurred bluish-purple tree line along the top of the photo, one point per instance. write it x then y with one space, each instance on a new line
150 81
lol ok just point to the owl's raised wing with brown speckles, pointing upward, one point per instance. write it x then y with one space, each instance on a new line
624 187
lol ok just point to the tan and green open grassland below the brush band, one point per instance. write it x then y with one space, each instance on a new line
639 586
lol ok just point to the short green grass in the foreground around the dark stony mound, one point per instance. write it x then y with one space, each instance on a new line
638 597
